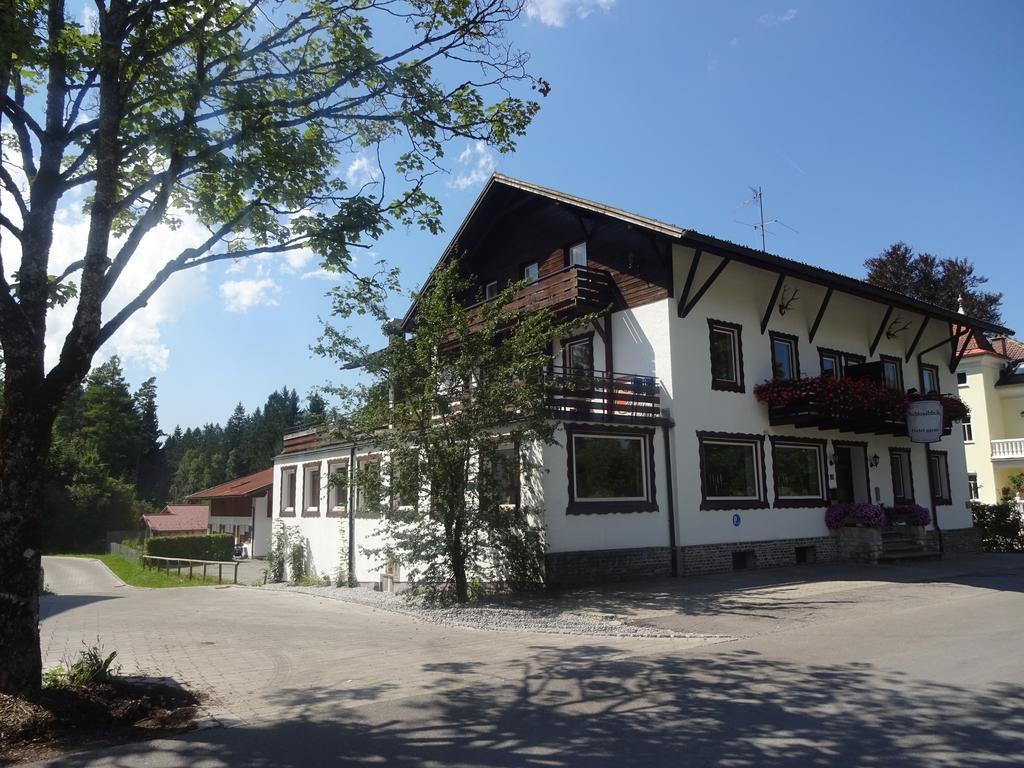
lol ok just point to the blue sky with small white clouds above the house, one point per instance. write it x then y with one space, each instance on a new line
864 122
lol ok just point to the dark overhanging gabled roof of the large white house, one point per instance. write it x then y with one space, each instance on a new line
500 192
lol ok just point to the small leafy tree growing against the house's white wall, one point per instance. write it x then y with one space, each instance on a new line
464 383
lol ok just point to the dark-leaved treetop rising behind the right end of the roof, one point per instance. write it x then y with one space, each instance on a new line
938 281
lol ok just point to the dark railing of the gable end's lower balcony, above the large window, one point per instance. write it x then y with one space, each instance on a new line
578 396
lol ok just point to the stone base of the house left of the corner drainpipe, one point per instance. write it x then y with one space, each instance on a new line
572 569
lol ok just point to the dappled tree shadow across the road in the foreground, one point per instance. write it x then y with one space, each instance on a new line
588 706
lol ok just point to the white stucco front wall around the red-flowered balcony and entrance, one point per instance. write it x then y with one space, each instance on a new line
741 295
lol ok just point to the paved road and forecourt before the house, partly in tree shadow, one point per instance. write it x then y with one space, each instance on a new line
822 667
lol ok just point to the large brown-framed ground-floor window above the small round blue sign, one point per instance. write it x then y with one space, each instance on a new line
733 472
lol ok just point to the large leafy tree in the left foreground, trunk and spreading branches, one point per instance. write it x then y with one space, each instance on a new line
243 116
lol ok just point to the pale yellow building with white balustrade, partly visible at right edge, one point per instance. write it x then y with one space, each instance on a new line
991 380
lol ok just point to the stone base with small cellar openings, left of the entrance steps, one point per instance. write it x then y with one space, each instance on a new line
715 559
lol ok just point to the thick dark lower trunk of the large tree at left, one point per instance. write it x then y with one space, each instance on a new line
25 443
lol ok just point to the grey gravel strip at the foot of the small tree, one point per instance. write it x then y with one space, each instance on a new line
495 618
